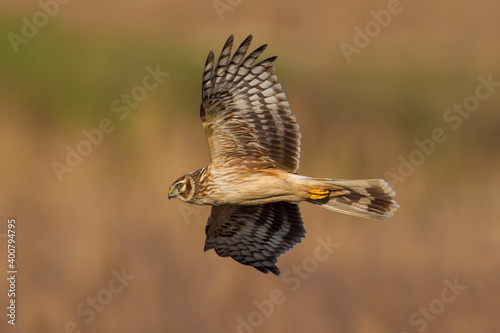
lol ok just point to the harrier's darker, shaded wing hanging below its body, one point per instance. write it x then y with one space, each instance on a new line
254 235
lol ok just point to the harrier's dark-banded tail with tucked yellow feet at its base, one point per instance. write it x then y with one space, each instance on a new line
369 198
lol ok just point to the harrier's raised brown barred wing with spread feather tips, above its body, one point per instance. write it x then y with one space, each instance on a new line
244 111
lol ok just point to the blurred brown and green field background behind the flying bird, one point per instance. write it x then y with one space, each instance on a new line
82 221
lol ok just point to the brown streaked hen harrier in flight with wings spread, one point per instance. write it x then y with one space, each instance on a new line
252 182
